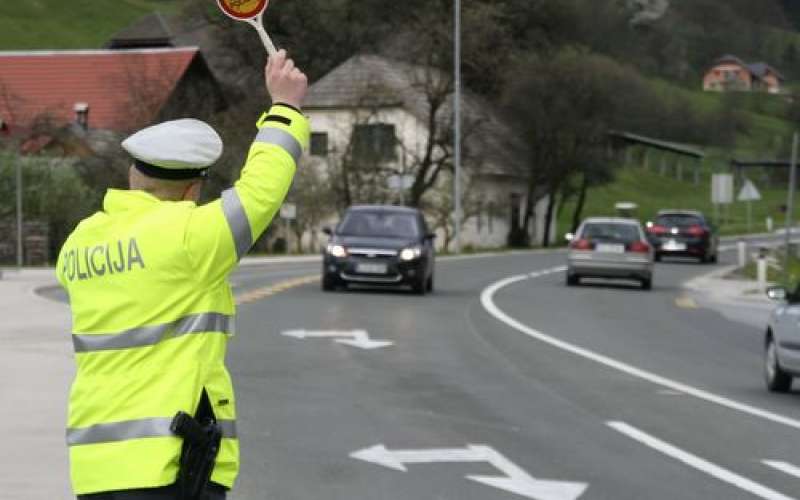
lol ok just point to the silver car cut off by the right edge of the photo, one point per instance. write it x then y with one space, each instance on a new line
782 341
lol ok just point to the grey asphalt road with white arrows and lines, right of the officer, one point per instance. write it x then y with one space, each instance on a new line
663 402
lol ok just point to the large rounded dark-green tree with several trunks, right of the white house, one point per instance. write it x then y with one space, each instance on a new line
564 106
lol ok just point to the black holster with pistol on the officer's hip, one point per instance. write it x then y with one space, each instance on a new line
201 441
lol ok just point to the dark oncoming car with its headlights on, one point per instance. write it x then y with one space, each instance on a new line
379 245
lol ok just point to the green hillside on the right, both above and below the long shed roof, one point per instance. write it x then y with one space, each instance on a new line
767 135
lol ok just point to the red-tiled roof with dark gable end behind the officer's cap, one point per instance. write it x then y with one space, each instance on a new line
116 90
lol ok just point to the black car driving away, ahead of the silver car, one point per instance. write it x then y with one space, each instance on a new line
683 233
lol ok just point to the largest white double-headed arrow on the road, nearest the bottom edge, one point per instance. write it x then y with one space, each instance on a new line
515 480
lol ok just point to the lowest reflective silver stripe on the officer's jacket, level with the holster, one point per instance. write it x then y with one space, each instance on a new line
134 429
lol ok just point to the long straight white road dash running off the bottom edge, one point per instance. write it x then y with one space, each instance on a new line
698 463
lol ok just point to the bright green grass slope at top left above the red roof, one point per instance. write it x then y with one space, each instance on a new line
73 24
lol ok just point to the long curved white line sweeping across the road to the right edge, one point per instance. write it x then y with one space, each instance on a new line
487 300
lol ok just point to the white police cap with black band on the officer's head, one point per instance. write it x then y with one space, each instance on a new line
178 149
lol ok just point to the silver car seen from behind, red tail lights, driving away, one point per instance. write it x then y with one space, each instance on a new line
610 247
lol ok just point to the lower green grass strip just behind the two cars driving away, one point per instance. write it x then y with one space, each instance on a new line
653 192
